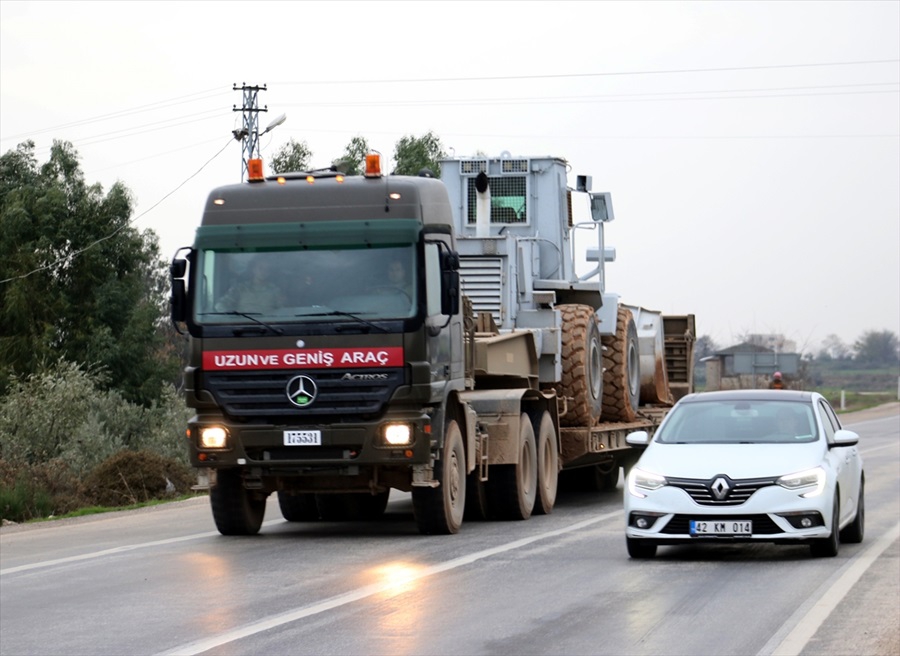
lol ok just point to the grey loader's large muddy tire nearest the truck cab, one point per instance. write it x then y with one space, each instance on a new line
582 366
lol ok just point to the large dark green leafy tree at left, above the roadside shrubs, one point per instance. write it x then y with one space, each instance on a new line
77 280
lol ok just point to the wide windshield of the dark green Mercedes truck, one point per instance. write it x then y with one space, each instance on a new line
279 285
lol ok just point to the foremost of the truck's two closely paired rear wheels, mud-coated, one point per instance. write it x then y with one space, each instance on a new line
512 489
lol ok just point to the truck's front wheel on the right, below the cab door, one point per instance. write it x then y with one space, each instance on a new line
439 510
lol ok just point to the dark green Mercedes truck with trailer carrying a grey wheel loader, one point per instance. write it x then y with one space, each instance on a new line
354 334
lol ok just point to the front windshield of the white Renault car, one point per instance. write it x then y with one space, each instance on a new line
739 422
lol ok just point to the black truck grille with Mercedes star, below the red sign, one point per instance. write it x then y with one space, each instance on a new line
263 393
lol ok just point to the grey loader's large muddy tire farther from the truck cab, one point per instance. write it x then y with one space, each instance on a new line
622 379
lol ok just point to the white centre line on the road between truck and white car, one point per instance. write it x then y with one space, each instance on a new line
281 619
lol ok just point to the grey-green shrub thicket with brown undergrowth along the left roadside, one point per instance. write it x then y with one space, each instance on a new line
66 443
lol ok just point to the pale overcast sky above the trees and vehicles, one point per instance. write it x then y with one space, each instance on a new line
752 149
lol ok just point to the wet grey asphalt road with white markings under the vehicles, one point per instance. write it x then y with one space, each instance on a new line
163 581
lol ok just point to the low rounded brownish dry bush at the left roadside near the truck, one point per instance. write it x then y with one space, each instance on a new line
131 477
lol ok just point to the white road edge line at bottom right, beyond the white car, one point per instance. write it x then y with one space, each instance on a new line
806 626
